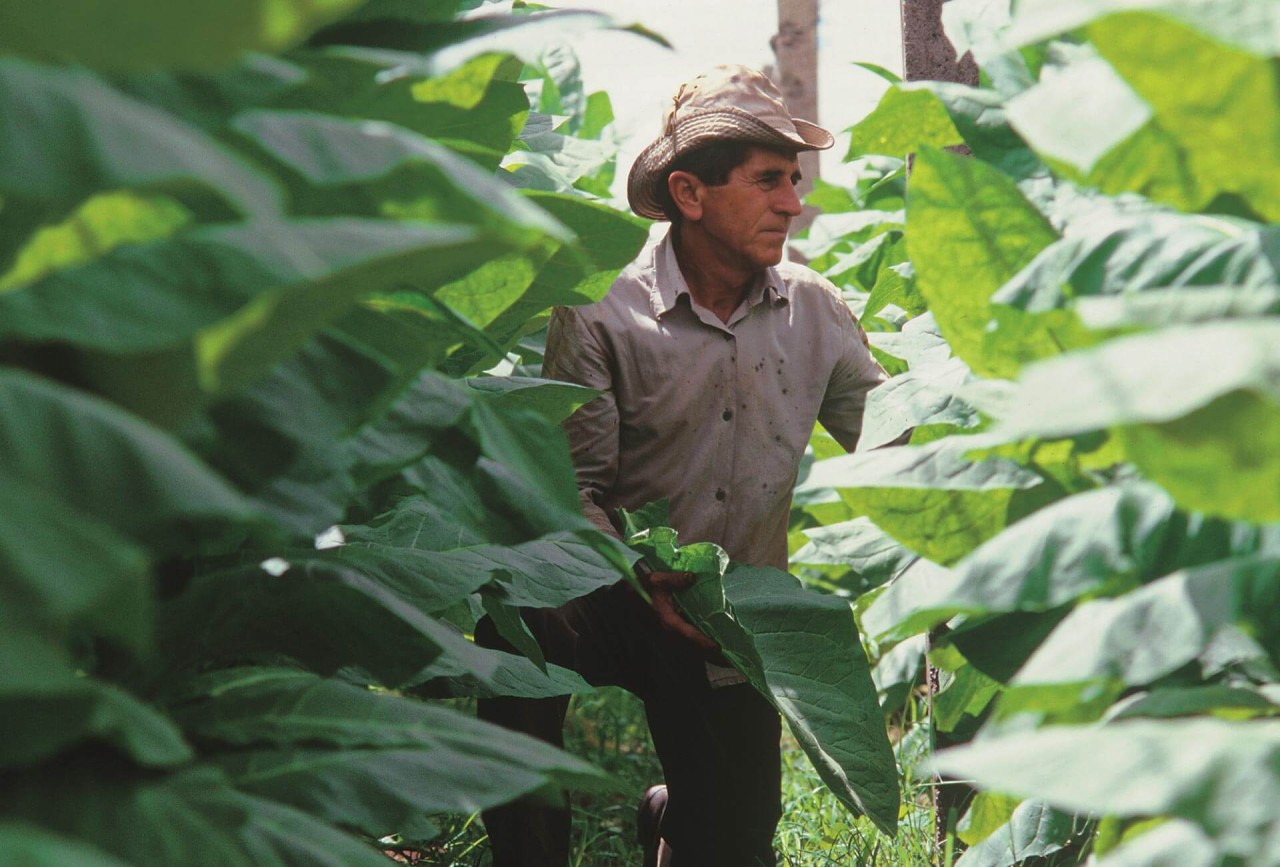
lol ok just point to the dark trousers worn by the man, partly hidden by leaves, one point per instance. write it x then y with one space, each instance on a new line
719 747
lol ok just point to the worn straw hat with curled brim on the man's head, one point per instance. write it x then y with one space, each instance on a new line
728 104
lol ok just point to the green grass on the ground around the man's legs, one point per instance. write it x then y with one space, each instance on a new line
607 728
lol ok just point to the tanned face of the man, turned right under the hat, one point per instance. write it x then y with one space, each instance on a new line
747 218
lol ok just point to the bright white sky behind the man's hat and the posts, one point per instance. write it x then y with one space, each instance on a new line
642 76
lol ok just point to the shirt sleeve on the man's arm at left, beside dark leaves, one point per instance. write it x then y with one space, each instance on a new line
575 355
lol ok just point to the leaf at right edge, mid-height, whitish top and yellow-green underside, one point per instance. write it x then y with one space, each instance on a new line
1200 430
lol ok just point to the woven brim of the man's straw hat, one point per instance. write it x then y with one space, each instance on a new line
703 129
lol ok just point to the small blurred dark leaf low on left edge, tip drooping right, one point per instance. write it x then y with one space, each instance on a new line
40 725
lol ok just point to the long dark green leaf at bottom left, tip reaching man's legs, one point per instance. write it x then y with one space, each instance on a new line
310 742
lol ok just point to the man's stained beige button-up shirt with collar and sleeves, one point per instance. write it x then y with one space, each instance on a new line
711 416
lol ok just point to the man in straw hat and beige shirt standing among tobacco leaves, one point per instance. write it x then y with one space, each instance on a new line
715 362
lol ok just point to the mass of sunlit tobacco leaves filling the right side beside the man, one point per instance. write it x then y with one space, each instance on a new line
1085 533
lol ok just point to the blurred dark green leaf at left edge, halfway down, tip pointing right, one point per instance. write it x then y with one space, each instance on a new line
108 464
